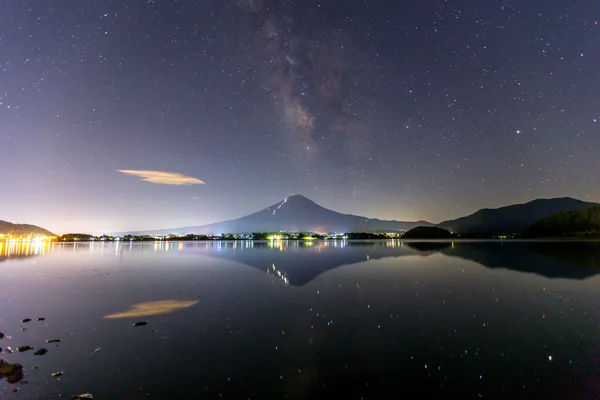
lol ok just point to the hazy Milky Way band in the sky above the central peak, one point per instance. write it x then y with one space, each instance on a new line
305 69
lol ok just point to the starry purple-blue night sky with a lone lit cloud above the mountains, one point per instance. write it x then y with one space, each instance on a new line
391 109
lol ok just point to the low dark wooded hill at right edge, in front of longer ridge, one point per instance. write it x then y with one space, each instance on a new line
579 223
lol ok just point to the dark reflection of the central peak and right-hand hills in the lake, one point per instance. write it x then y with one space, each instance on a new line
571 260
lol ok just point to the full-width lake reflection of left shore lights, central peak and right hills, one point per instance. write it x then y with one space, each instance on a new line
571 260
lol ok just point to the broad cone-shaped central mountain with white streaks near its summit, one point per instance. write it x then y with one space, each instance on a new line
297 214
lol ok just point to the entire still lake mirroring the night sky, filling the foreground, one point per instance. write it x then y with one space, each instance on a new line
354 320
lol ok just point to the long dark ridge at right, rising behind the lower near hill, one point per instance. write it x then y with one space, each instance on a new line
512 219
